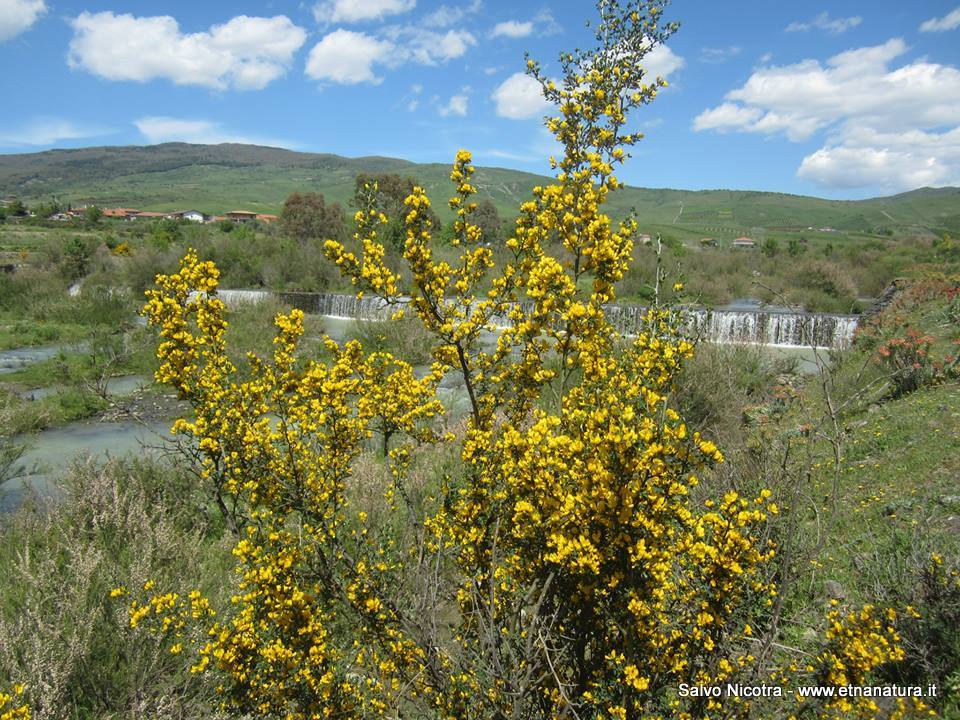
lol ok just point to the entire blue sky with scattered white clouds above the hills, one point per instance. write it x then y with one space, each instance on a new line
842 99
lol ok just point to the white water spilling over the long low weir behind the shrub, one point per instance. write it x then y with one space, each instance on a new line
784 329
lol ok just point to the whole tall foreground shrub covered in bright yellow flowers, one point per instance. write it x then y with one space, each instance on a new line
565 570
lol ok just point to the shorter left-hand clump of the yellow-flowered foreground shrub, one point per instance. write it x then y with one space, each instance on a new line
277 446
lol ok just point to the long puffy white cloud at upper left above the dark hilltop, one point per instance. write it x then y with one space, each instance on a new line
246 53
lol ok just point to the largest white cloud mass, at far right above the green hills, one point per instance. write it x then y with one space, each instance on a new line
883 124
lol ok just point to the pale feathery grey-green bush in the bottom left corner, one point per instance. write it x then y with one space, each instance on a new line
59 637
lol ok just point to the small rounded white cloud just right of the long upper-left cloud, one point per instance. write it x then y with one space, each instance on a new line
347 57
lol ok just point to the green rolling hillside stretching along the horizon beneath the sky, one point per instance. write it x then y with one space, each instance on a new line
215 178
